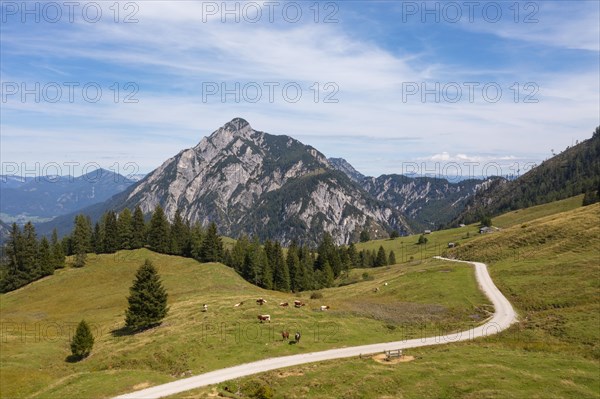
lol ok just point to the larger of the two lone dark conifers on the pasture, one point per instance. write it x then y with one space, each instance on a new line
147 299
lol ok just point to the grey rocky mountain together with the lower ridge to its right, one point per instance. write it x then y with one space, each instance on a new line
273 186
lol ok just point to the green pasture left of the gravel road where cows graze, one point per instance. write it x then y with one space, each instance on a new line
38 319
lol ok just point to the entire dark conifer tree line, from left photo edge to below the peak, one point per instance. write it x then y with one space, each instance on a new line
265 264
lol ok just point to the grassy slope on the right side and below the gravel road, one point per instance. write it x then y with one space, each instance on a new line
550 270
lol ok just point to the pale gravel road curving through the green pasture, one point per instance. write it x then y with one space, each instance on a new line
504 315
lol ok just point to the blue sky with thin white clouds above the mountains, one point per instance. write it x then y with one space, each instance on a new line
393 87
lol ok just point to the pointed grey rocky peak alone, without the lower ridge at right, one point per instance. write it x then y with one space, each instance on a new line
270 186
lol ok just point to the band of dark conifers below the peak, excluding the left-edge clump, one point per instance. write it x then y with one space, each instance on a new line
265 264
